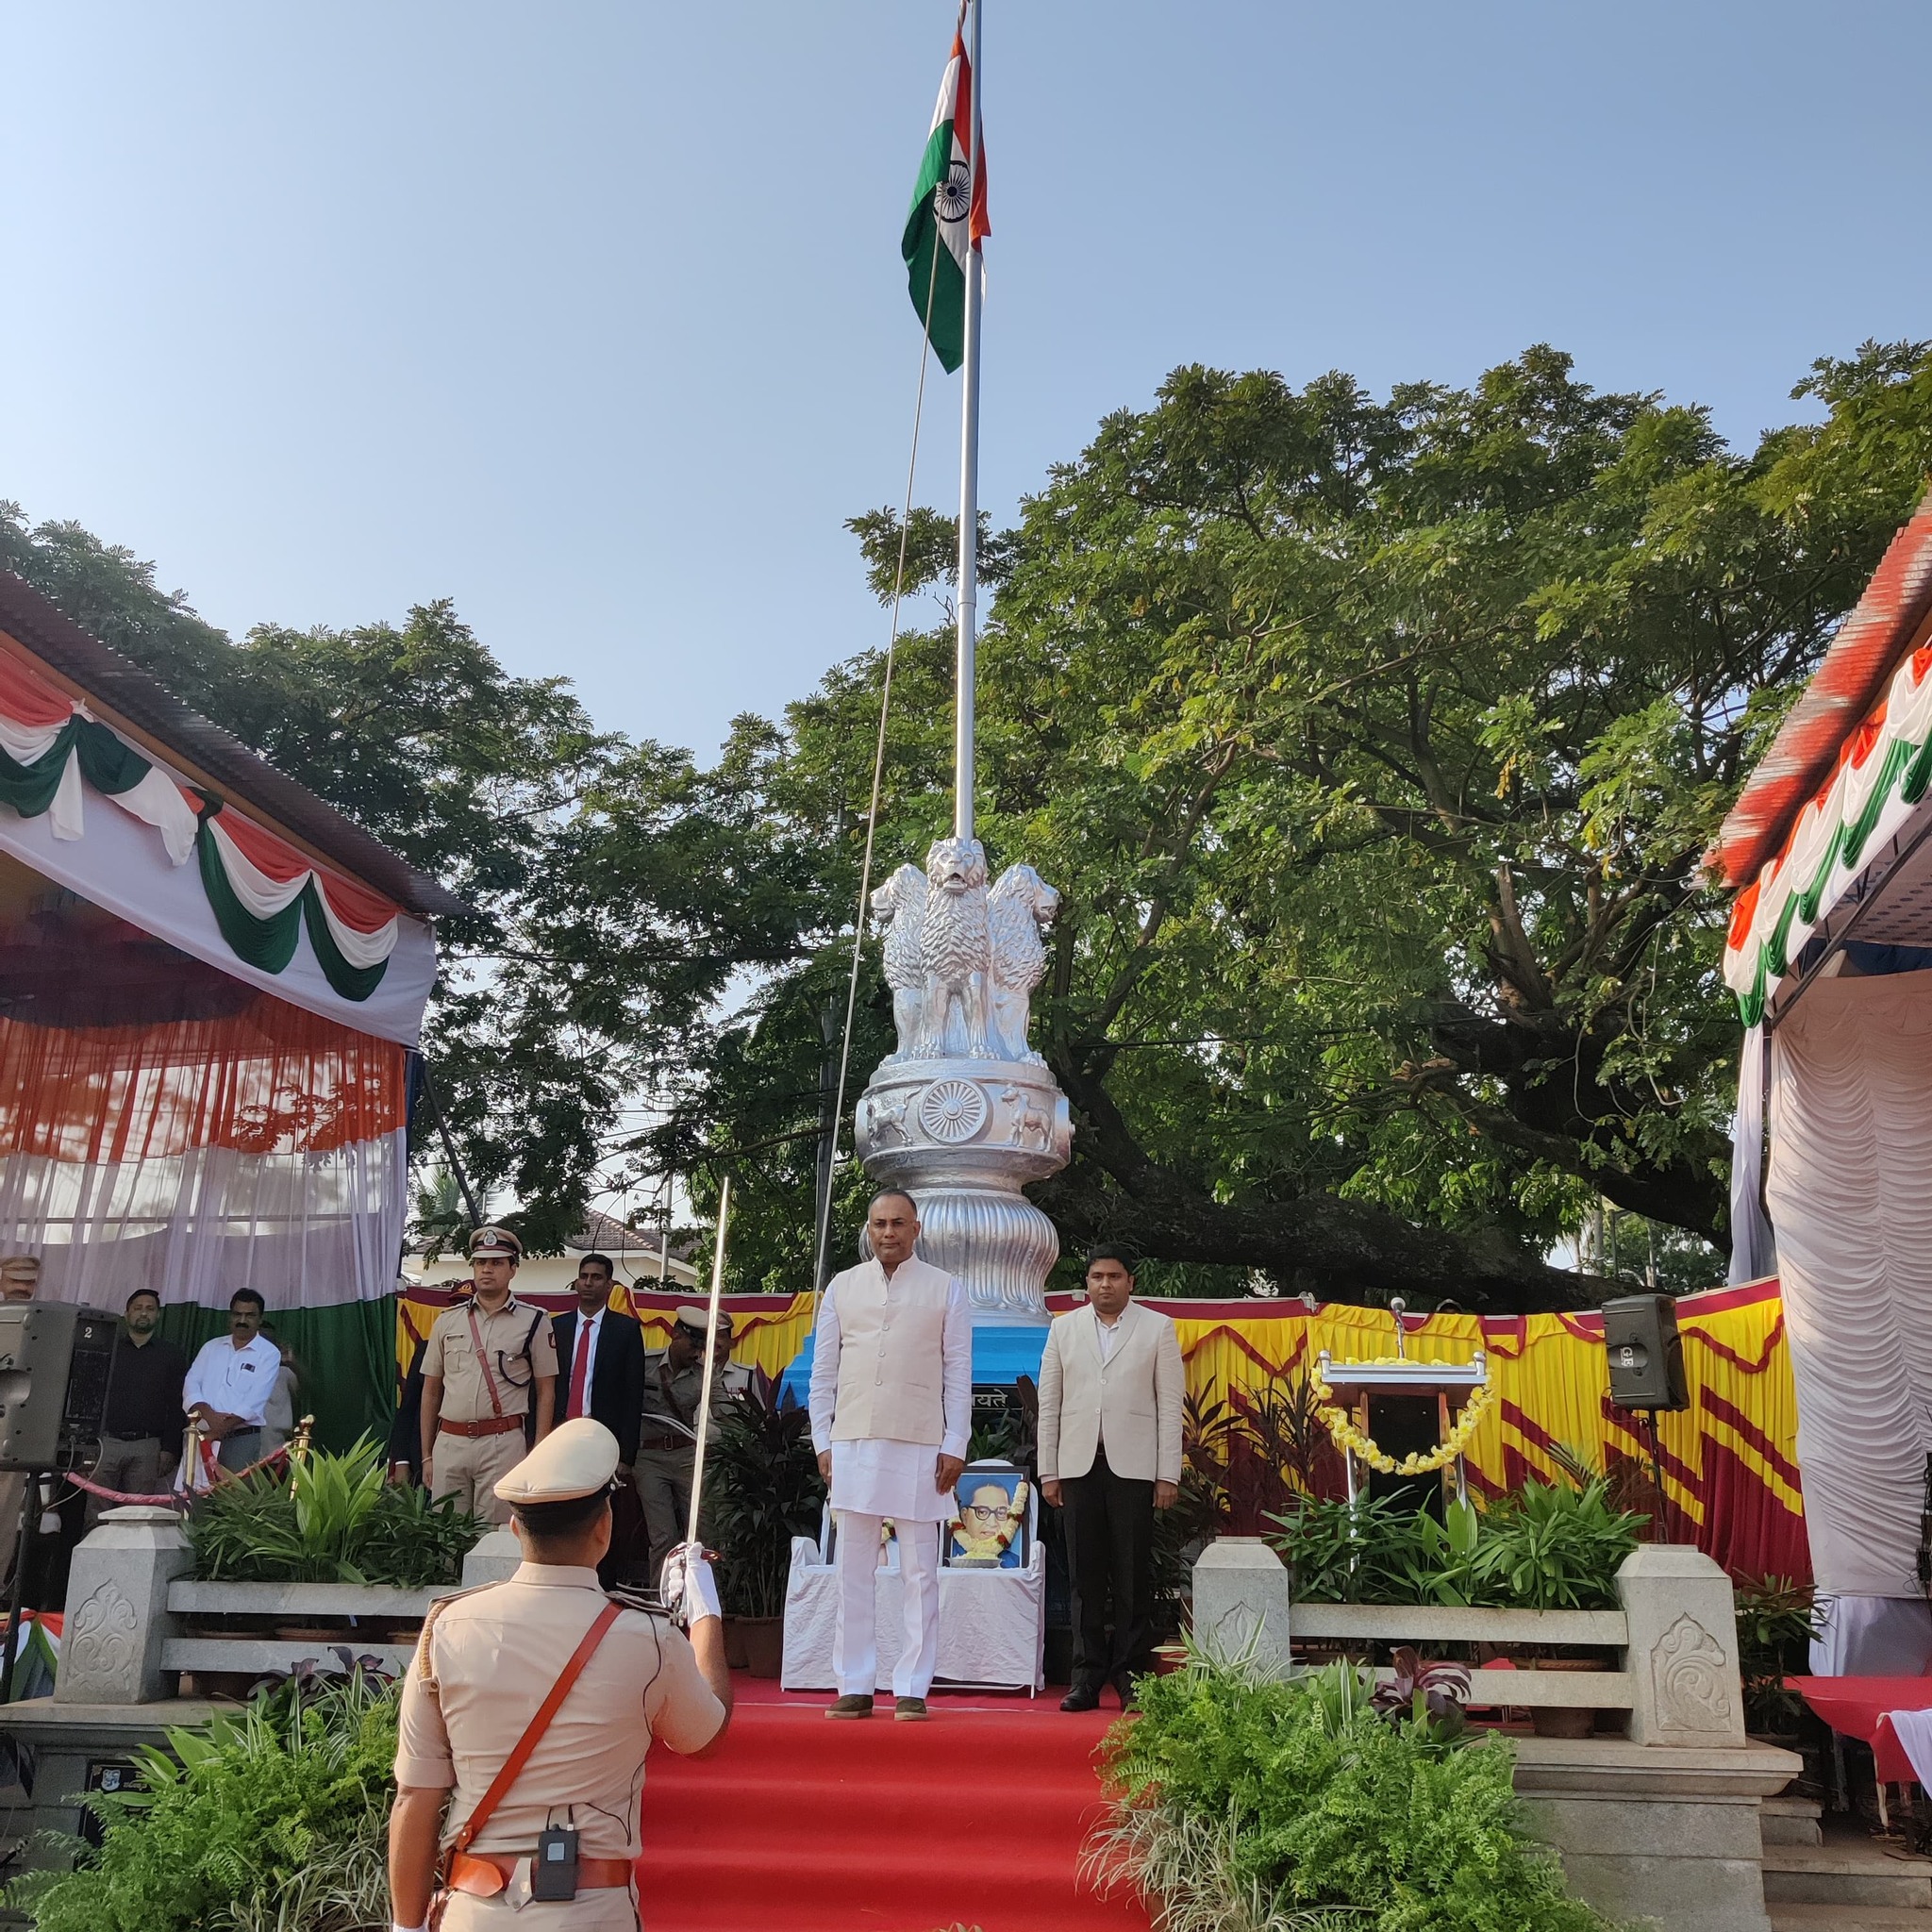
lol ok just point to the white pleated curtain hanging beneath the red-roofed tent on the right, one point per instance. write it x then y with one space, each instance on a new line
1852 1197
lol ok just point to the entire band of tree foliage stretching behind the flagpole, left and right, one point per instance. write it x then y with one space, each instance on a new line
1375 745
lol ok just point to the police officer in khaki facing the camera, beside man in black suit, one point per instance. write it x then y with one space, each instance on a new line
488 1371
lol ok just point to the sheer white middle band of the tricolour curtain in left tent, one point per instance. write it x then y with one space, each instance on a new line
308 1230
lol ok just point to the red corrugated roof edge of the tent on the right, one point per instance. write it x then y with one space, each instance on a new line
1844 689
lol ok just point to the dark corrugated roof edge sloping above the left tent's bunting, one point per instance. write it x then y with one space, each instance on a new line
217 756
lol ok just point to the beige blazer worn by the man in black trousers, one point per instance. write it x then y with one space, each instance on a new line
1131 1402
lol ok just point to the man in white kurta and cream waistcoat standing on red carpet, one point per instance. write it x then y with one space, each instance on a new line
892 1411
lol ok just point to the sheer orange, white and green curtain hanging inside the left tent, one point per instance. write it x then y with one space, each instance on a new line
260 1149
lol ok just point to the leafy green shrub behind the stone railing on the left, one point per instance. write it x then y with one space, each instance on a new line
329 1520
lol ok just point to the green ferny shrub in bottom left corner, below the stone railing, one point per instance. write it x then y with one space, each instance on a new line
270 1821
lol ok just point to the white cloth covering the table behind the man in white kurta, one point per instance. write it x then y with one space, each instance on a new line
992 1624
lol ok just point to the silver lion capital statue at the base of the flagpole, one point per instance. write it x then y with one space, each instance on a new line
965 1112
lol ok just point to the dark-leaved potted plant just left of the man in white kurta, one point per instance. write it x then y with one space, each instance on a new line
764 1491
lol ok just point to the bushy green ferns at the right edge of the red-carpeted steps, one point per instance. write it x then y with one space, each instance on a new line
1272 1805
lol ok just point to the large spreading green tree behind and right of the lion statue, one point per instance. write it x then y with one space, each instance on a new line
1375 747
